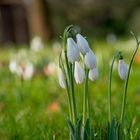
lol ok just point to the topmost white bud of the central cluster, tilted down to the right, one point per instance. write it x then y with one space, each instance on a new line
82 44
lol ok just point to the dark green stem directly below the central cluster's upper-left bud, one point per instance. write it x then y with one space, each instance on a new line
73 94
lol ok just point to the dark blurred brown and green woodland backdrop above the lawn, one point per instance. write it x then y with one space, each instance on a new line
21 20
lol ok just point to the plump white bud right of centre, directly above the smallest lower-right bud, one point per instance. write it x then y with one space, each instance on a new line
90 60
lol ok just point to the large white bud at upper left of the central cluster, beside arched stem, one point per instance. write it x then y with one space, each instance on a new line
72 51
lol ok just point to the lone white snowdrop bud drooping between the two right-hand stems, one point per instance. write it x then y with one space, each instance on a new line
122 69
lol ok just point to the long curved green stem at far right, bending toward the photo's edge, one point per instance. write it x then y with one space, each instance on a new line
126 84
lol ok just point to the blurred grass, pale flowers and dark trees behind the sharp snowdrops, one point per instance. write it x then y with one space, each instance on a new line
32 105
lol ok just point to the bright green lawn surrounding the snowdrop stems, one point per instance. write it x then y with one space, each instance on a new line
24 105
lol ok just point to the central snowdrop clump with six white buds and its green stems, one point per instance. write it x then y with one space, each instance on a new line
77 62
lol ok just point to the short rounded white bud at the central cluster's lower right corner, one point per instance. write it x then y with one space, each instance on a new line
93 74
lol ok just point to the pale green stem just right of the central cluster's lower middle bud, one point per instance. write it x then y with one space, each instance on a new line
85 97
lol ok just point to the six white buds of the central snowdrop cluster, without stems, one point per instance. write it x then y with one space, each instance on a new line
74 52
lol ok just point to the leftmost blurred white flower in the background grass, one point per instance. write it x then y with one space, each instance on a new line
13 66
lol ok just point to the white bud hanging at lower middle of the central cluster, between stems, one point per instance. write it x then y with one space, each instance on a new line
79 74
